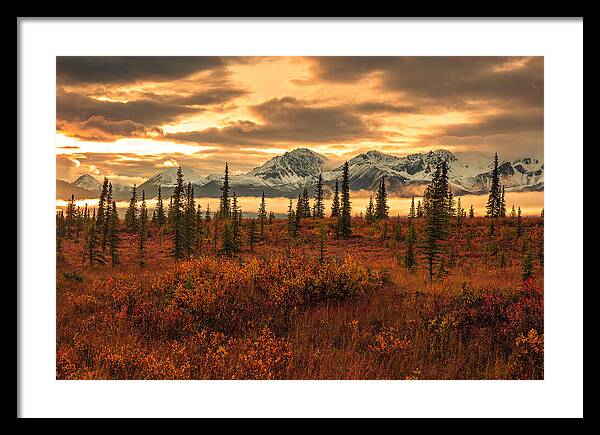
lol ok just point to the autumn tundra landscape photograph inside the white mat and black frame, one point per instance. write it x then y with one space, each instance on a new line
300 218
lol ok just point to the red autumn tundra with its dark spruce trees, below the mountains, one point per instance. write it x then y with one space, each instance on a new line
186 292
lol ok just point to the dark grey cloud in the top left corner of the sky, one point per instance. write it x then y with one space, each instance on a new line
127 69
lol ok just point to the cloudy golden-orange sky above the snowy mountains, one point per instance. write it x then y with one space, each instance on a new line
128 117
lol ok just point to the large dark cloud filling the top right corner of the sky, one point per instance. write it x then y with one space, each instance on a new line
447 80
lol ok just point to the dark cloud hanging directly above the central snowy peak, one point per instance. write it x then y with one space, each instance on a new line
286 119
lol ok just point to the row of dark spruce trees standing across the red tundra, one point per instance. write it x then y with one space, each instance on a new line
194 232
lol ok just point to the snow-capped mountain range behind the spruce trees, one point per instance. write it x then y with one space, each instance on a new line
288 174
